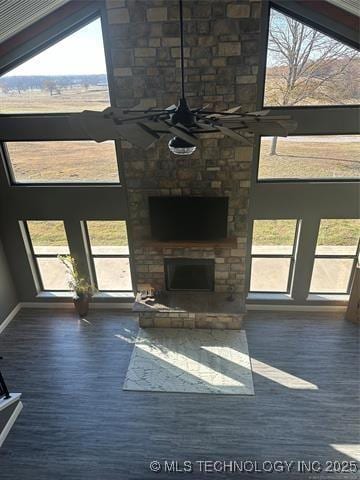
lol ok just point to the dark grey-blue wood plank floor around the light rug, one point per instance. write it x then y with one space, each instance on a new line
78 423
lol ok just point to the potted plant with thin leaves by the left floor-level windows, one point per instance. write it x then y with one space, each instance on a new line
83 290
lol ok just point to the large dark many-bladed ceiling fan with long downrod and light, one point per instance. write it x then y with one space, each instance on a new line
144 127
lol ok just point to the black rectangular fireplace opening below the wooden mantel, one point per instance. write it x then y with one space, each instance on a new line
189 274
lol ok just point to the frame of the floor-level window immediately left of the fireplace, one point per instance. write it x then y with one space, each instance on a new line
91 256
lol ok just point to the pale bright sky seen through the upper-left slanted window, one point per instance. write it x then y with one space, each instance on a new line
81 53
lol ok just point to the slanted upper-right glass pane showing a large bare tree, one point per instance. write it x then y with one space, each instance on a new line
322 71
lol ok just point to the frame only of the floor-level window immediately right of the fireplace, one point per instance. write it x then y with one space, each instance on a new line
291 256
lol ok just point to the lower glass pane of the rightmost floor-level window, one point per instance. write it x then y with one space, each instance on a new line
331 275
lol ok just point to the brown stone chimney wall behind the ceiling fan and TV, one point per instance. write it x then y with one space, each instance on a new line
222 54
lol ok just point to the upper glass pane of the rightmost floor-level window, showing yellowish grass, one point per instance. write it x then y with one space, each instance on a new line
338 237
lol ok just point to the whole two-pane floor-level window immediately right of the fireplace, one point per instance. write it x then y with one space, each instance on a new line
272 255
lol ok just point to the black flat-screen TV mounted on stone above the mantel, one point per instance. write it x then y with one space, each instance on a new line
188 218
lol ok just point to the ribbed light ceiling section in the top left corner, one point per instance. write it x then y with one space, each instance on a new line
15 15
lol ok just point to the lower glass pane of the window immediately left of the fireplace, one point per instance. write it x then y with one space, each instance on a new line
113 273
